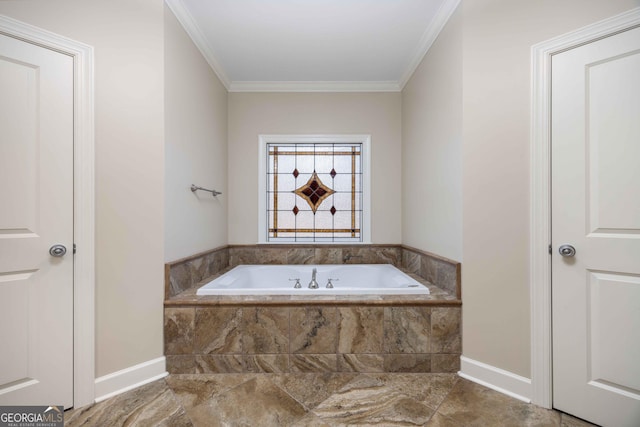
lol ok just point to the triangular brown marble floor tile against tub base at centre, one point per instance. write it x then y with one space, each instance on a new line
310 389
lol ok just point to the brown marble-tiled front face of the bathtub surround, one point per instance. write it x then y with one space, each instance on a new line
288 336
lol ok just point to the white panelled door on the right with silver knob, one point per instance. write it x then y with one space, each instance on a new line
596 210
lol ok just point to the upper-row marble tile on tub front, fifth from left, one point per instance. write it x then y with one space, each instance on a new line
360 329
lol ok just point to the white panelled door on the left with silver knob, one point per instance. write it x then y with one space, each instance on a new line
36 213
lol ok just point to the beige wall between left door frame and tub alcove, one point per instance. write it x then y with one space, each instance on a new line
129 98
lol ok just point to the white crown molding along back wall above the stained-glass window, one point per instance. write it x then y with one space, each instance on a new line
327 86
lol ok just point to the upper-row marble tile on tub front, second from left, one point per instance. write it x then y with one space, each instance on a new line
218 330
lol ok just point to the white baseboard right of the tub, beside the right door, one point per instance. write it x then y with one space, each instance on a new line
495 378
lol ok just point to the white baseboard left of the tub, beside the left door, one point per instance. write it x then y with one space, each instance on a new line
127 379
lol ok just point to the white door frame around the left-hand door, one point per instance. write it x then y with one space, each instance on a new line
83 199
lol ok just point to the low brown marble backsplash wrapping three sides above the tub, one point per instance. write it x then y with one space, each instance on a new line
185 273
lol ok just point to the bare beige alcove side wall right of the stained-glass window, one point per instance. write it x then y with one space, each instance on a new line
432 148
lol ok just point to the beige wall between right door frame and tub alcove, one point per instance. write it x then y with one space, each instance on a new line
498 35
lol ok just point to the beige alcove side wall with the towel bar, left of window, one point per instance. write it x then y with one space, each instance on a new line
195 148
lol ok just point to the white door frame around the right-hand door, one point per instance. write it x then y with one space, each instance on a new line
540 189
